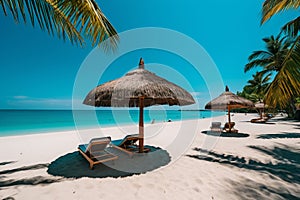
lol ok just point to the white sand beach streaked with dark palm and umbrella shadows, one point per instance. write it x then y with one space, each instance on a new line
235 168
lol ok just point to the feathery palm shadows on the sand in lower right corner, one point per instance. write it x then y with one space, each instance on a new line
285 168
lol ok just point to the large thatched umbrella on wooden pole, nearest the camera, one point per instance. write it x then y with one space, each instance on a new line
138 88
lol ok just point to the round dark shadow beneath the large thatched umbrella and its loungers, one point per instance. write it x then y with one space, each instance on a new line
73 165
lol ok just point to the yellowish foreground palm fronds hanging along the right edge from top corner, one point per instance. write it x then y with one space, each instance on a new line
286 85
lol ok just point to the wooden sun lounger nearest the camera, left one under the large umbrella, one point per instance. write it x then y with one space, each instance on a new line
95 152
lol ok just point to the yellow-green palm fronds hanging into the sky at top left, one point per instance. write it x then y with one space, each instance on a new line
74 20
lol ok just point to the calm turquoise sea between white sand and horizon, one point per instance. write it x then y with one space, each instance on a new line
20 122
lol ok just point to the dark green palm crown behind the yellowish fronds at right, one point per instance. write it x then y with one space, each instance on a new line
272 58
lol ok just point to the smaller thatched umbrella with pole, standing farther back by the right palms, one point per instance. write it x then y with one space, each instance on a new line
228 100
